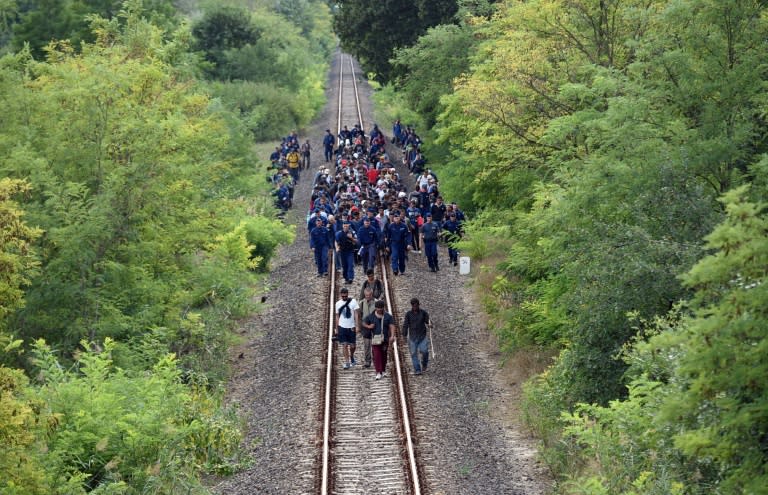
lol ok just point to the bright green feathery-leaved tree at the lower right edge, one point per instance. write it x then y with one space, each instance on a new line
722 402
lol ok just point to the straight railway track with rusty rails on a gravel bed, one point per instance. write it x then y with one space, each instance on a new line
367 443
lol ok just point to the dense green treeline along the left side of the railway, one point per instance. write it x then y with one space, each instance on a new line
135 224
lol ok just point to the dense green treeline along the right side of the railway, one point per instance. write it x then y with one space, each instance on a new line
613 154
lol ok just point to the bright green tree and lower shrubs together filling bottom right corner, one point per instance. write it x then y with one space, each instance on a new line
696 404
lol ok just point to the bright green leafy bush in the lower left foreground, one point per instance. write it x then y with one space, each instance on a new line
118 432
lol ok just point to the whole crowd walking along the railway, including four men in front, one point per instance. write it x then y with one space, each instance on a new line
361 209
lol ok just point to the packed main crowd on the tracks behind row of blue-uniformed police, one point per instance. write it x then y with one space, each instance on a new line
366 210
